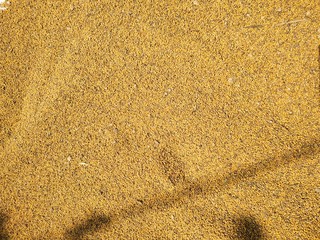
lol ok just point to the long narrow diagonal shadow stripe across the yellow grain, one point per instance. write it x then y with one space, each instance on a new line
190 190
